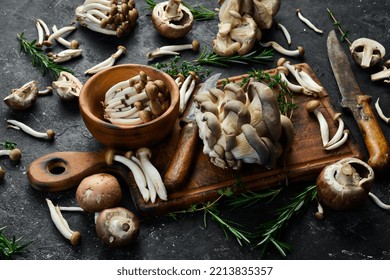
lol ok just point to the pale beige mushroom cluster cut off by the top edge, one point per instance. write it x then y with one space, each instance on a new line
240 24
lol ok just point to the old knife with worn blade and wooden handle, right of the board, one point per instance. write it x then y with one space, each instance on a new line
359 104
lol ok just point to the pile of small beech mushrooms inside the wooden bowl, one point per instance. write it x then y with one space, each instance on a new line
136 100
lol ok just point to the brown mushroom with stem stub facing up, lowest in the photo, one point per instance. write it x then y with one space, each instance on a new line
117 227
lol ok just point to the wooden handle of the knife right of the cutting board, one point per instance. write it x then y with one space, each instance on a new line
376 143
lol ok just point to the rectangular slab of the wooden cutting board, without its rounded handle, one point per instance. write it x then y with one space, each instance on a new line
304 162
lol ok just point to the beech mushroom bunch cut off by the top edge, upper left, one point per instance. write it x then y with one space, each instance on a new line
110 17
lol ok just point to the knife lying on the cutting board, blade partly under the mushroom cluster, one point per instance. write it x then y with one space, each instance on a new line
182 159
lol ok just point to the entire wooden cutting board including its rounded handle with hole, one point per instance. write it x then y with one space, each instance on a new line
63 170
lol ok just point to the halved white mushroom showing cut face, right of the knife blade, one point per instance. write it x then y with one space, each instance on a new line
367 52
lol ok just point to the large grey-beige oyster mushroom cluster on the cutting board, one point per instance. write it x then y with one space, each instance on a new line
242 125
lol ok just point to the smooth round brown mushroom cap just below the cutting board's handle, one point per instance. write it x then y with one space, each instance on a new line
98 192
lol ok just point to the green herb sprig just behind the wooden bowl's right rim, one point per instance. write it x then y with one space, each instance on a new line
173 68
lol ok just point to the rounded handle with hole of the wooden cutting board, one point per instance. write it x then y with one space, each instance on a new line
64 170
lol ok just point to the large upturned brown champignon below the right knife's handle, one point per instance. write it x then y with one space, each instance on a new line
345 184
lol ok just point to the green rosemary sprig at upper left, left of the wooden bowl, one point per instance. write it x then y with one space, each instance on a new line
39 58
